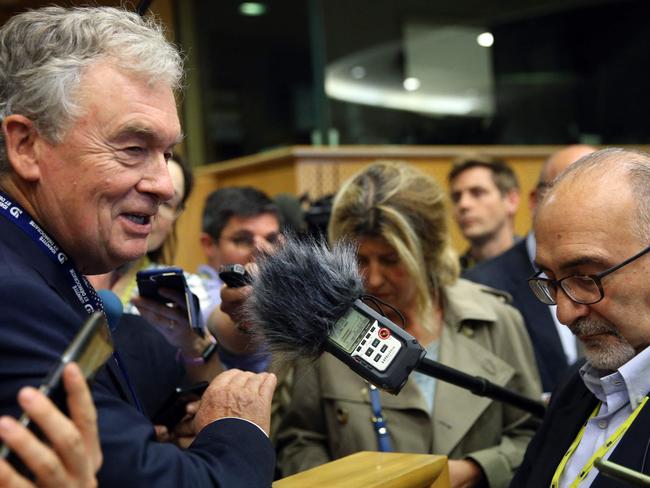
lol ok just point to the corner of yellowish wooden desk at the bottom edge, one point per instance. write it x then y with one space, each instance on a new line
374 470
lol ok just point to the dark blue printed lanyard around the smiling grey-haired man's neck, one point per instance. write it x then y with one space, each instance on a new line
81 287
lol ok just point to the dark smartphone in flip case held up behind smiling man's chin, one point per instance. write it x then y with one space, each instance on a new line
151 280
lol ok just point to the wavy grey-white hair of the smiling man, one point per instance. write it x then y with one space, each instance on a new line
44 52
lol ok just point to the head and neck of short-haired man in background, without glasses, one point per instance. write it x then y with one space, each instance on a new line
485 198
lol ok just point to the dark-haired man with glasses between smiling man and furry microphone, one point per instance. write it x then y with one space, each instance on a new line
237 223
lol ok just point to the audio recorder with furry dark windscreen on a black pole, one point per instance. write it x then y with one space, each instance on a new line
305 300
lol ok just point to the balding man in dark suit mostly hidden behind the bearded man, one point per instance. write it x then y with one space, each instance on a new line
555 346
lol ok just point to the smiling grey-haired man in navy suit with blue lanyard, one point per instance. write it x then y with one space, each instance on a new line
89 120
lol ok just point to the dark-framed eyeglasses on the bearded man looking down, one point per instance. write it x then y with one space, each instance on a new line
583 289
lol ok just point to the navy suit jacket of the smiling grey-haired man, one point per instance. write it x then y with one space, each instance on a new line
39 315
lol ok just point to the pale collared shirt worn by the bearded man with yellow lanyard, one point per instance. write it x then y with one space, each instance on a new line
620 393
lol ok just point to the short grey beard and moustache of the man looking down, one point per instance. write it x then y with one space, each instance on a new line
603 357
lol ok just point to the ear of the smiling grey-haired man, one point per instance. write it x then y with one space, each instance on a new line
21 139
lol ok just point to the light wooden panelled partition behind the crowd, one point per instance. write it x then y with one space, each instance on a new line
318 171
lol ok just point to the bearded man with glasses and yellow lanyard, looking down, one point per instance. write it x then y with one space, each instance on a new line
593 230
